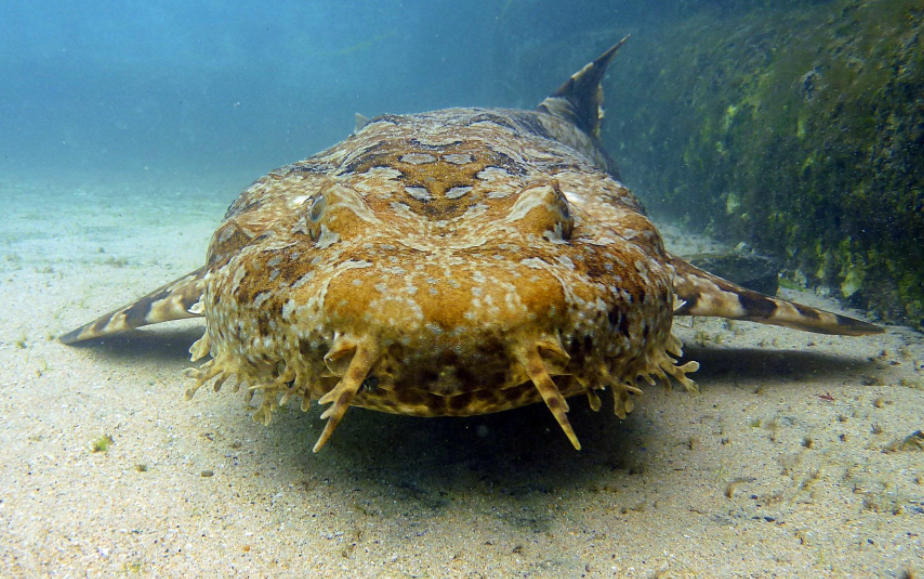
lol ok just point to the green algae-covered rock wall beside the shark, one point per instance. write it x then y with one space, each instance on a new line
799 130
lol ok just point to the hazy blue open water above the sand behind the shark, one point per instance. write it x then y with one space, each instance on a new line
177 88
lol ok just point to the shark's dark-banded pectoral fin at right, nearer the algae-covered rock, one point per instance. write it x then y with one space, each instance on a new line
701 293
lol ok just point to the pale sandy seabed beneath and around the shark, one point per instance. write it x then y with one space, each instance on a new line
797 459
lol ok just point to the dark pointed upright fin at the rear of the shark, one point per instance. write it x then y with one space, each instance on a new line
580 99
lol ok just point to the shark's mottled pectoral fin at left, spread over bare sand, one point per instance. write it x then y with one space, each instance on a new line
174 301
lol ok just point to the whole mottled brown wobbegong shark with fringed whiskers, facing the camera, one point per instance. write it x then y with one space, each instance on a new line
450 263
